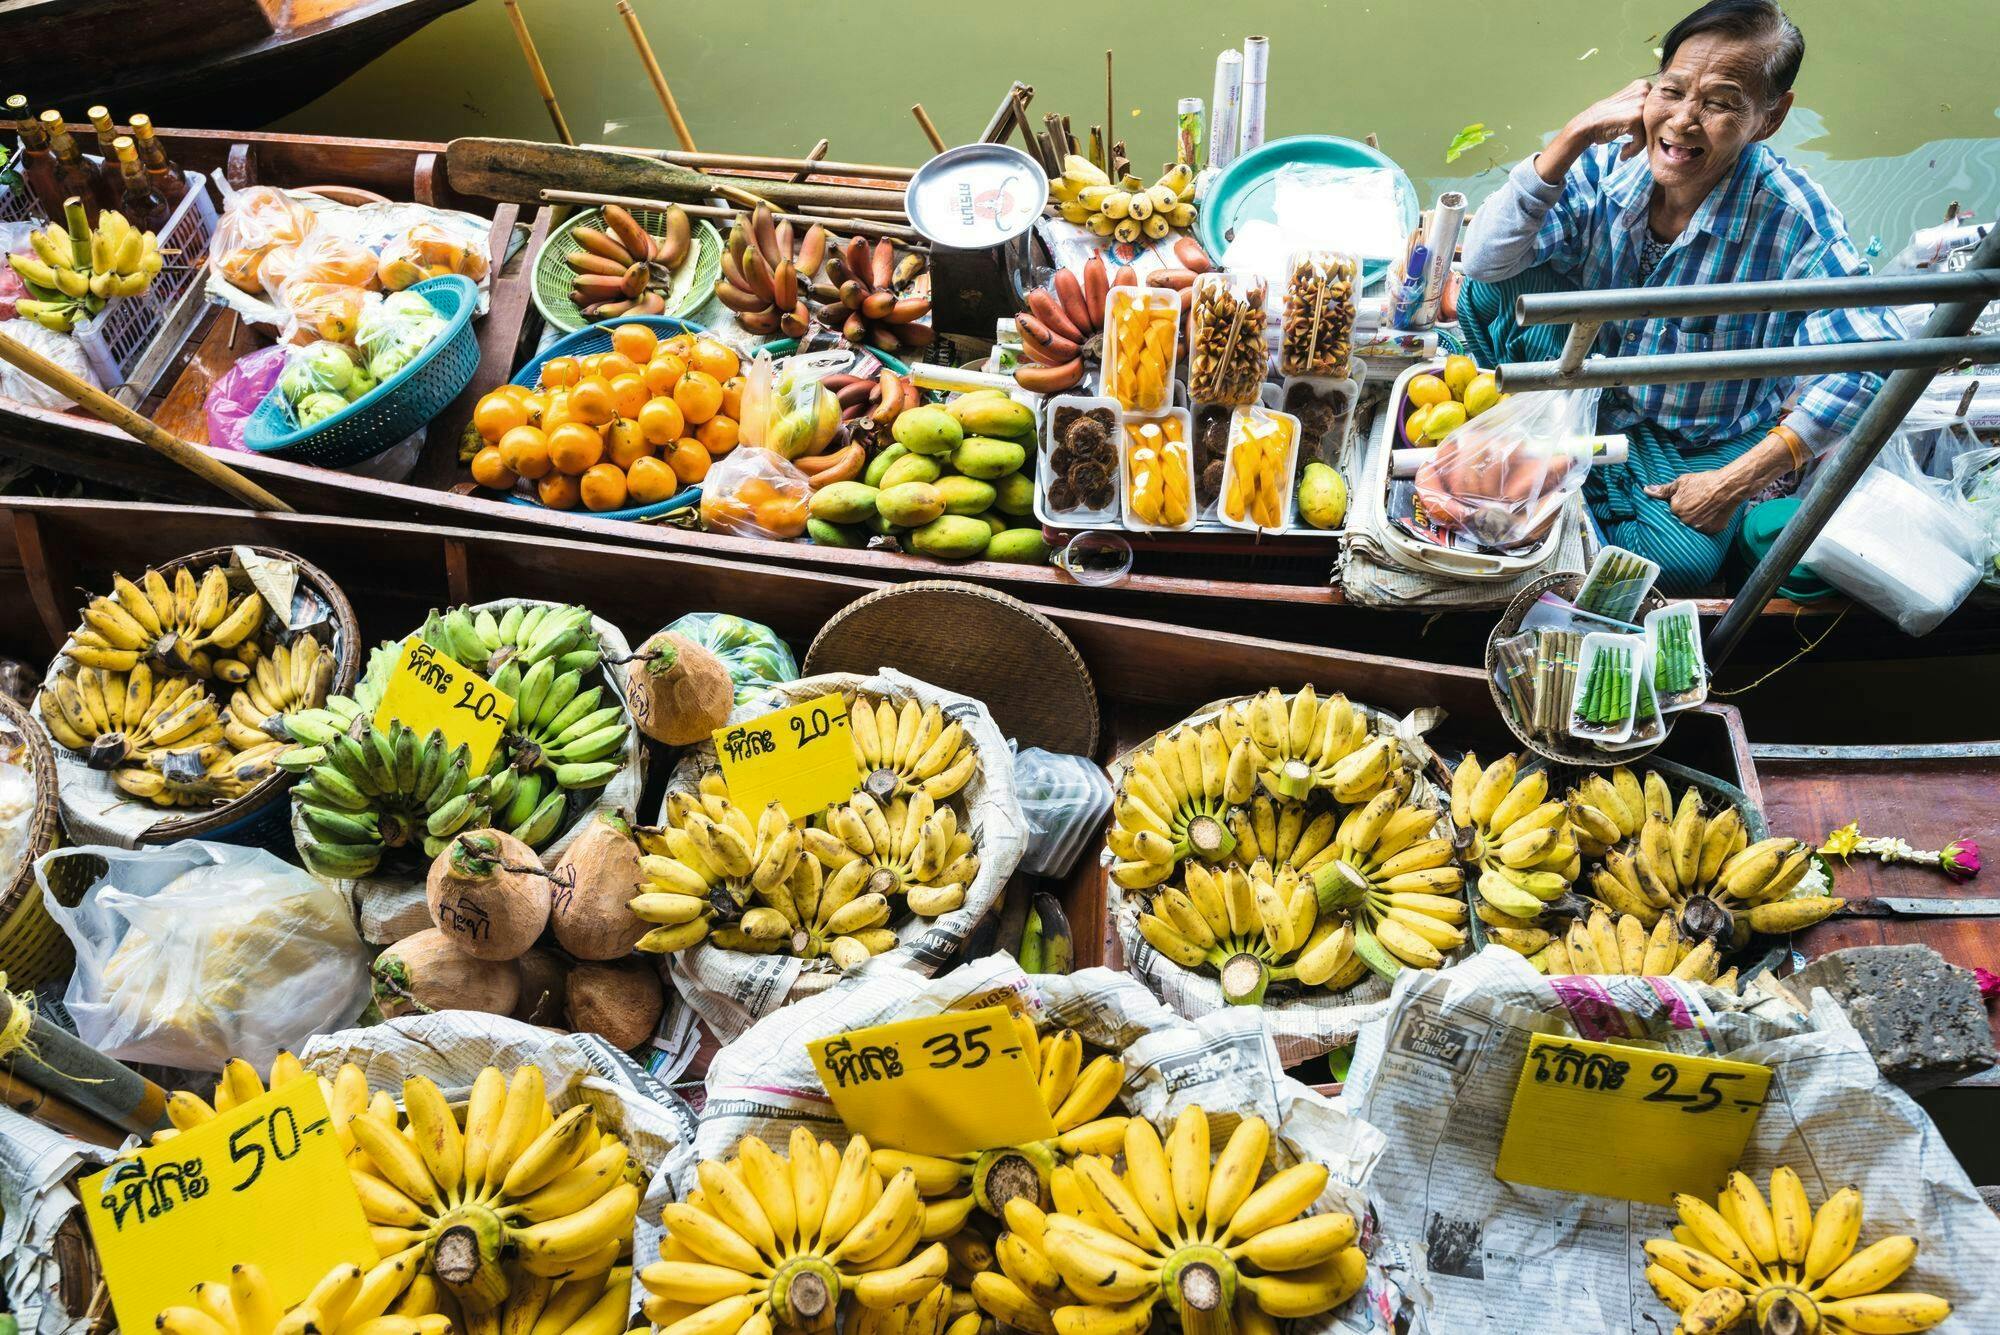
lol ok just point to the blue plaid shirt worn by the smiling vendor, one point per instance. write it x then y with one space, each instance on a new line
1765 221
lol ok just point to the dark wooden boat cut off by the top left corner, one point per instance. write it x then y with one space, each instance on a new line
219 63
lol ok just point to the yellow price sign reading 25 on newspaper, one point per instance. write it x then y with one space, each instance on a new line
1635 1124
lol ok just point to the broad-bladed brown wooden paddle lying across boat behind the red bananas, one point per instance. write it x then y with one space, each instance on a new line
521 171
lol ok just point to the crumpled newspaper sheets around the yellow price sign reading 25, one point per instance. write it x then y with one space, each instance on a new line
1437 1076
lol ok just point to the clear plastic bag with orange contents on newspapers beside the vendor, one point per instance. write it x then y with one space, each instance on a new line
1505 475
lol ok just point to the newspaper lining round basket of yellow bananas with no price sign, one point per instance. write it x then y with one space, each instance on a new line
1303 1024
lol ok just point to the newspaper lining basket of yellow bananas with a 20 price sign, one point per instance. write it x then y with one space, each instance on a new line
731 990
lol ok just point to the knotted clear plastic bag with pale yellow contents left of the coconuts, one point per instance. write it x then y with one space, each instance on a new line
193 954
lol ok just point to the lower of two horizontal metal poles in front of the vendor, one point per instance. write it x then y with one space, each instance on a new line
1883 355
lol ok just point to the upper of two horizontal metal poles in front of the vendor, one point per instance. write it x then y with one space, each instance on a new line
1729 299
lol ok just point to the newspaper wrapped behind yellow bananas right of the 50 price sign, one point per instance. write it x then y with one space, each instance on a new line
451 1048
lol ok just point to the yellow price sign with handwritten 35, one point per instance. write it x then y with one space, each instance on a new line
937 1086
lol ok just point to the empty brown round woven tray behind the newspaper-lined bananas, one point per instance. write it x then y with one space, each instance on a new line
977 643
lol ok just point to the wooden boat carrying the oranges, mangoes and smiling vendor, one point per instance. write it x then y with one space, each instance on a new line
1253 593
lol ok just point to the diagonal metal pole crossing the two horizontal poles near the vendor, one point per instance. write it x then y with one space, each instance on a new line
1845 467
